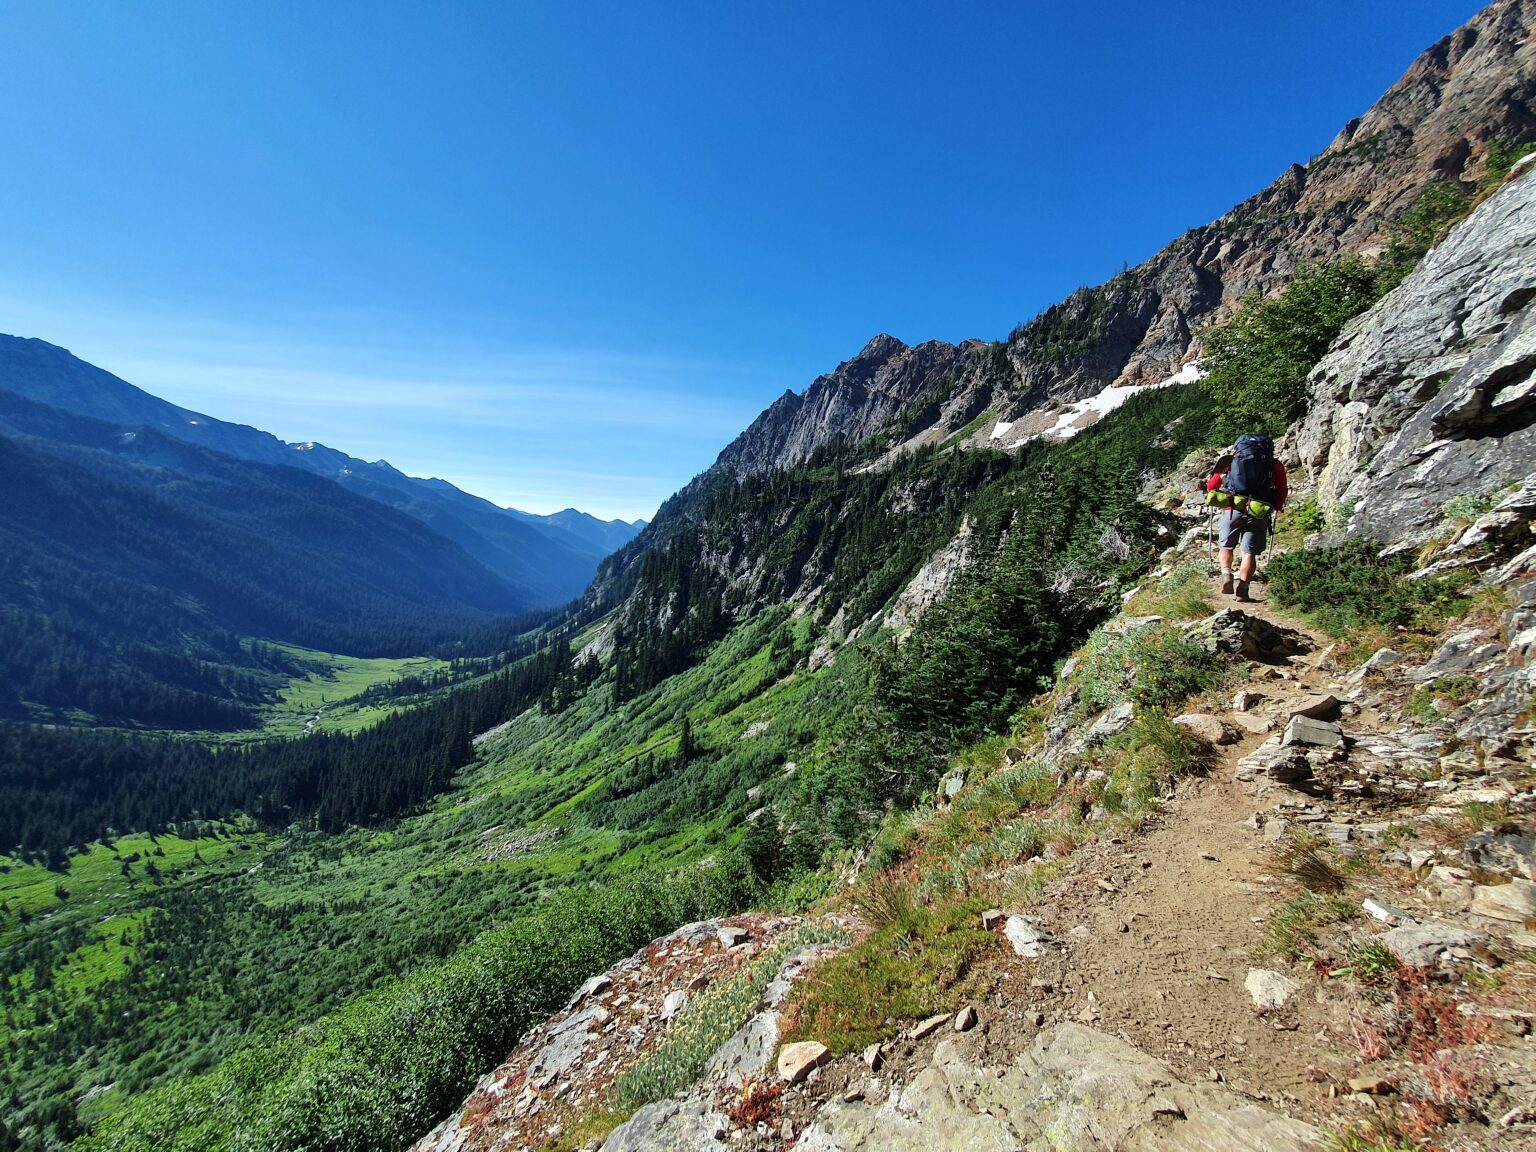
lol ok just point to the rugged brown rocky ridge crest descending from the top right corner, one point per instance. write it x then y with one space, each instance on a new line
1435 125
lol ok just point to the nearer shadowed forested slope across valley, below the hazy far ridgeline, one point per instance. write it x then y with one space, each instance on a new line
139 568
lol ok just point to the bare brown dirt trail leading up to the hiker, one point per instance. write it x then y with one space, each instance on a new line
1160 930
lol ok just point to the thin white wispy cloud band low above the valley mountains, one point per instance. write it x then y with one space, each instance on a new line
528 425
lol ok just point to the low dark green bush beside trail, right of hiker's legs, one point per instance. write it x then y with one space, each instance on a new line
1352 586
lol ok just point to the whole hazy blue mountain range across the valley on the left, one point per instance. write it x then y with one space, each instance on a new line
144 546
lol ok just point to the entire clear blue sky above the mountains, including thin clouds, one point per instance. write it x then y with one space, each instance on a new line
561 254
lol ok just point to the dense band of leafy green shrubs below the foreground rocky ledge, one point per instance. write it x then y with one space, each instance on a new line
391 1062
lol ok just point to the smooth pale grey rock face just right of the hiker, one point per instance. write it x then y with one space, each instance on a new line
1432 396
